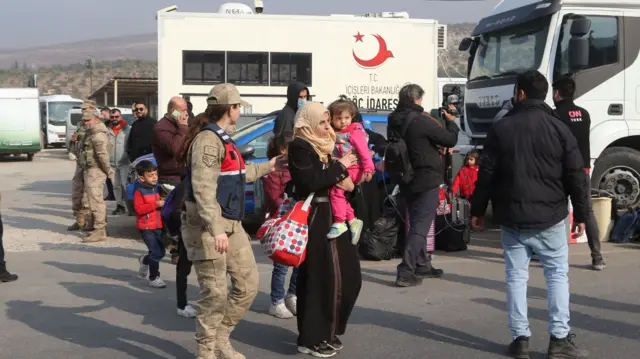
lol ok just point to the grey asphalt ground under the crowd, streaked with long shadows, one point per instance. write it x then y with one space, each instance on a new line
77 301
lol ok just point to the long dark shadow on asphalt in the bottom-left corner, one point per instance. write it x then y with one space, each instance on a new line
71 325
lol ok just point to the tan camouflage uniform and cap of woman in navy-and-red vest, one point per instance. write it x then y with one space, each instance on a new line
218 312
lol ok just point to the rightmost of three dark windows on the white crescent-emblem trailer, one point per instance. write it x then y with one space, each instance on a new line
288 67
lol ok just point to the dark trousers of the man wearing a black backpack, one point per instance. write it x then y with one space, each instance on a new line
422 212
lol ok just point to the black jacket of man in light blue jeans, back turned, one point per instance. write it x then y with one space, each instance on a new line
530 163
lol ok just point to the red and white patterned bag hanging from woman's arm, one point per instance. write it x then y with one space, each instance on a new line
285 237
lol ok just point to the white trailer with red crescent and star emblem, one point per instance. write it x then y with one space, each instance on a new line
366 58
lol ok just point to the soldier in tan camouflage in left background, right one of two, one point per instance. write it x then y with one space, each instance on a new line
95 162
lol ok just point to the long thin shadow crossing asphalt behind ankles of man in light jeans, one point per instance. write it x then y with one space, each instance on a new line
578 320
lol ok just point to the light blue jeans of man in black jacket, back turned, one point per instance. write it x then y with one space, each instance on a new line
551 246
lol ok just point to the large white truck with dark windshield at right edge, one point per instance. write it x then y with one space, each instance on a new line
597 42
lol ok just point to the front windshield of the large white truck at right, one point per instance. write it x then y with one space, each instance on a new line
516 48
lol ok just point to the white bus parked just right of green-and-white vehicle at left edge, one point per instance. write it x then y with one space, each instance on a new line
54 112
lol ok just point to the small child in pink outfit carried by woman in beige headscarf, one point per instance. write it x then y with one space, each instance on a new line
350 136
